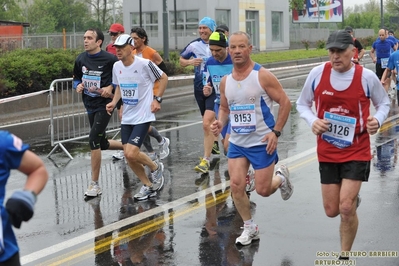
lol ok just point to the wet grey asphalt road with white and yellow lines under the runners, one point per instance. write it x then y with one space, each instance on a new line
193 221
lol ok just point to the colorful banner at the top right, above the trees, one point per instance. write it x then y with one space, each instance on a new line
315 11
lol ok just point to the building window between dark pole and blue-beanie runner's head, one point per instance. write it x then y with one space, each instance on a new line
187 23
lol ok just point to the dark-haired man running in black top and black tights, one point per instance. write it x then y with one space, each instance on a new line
93 79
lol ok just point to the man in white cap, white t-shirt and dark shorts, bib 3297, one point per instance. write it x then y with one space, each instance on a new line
134 78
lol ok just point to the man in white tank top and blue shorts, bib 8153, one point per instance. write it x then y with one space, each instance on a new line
247 96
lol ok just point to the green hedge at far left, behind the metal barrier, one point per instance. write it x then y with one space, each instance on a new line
25 70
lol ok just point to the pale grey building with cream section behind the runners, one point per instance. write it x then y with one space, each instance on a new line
266 21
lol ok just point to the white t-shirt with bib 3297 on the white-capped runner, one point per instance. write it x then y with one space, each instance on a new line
136 82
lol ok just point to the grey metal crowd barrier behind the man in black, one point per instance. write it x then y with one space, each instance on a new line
68 118
